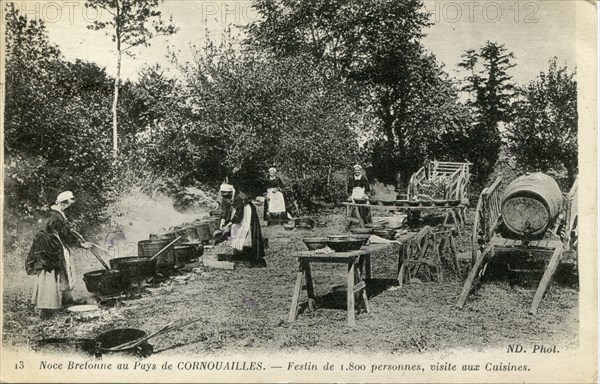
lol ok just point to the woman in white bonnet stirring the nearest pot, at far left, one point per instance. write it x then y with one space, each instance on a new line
50 259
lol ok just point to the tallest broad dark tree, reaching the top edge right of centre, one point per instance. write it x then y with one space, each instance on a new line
375 49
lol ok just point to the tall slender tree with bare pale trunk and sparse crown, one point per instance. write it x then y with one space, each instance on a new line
132 23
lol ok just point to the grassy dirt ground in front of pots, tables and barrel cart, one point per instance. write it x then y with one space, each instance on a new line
245 310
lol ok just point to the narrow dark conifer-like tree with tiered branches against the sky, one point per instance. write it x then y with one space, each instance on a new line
489 89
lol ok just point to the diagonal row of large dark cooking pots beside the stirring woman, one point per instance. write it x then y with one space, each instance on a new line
127 270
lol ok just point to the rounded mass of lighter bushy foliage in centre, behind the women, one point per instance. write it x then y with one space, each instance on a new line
243 113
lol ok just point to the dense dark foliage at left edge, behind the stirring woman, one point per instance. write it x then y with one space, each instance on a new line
56 115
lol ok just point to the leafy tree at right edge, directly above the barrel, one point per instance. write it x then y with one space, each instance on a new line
543 135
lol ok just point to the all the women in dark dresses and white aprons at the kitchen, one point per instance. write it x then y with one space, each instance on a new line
49 257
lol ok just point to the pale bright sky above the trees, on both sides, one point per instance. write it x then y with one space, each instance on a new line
534 31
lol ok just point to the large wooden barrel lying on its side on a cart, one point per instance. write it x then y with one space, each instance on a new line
530 204
